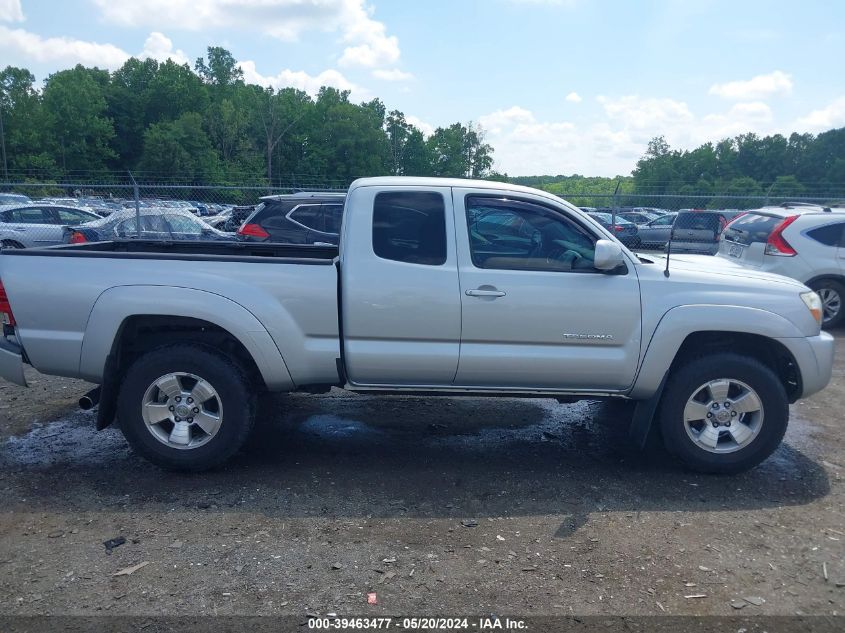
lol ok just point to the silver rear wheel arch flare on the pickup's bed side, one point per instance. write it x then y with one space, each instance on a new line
117 304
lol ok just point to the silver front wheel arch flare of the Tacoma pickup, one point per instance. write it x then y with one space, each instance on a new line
681 321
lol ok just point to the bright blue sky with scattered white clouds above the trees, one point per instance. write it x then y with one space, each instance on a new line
559 86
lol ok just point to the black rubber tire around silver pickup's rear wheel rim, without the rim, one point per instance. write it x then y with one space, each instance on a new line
225 376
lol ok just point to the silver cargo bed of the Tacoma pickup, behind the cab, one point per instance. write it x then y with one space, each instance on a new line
280 298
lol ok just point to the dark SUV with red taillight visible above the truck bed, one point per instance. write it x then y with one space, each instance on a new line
299 218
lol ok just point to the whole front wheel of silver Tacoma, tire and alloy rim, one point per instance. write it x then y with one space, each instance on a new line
723 413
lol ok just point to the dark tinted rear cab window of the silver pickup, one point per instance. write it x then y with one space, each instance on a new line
410 227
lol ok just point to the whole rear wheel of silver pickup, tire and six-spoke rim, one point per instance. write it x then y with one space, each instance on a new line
185 407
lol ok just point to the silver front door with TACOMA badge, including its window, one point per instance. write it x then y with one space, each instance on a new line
536 315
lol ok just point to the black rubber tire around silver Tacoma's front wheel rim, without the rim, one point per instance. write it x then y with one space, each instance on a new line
684 383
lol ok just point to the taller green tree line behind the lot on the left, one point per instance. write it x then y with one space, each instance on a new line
206 125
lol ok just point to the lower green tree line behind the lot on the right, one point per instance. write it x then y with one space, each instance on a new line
716 175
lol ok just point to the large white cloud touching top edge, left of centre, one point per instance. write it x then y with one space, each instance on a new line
366 40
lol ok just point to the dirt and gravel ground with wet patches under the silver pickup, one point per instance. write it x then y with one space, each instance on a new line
440 506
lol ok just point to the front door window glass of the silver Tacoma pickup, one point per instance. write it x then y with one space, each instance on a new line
517 235
